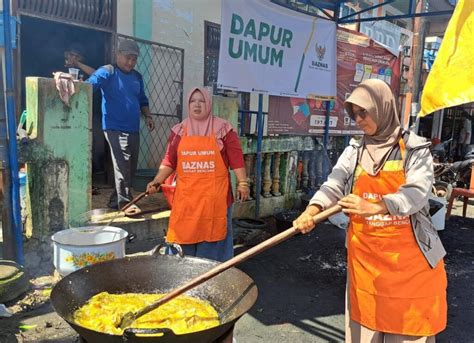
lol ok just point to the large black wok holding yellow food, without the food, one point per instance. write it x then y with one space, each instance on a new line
232 293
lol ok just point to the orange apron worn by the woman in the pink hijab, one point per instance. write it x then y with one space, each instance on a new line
199 211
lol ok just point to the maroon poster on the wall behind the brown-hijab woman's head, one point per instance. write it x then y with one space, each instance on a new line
358 58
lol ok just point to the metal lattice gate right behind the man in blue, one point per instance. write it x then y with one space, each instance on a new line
162 68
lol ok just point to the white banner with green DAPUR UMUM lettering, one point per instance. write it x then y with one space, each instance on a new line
269 49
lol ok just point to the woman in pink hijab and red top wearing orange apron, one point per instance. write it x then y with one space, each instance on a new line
200 150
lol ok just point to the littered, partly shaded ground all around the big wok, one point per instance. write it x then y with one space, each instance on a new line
301 292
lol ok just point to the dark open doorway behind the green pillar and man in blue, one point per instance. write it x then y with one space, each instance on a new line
42 46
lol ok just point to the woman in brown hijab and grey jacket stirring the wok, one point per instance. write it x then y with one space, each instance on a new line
396 278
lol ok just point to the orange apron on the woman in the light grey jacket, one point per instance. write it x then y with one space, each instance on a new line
392 288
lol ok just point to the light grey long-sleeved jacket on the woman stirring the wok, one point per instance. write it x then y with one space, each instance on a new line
410 199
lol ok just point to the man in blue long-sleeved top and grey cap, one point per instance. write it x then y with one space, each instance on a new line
123 101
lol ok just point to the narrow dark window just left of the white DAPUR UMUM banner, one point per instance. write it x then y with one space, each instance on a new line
212 36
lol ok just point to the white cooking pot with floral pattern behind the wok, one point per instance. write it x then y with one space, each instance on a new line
80 247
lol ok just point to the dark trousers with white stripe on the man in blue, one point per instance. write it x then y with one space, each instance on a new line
124 148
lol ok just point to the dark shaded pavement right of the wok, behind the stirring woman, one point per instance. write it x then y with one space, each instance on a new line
302 288
